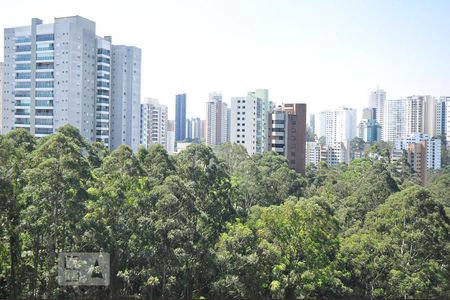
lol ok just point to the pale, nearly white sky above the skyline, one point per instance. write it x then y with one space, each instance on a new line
321 52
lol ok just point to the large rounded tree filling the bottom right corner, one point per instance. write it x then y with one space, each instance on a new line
402 250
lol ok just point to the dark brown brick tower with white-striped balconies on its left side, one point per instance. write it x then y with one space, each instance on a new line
287 134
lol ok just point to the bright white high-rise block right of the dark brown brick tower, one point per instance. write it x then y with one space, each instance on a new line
337 126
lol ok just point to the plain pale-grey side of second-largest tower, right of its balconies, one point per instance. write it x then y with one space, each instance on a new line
126 96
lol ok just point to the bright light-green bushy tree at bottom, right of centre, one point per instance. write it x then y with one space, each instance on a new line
283 251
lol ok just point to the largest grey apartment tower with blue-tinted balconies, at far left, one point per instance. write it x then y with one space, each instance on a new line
50 76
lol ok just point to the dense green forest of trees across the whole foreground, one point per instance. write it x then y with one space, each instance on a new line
217 223
